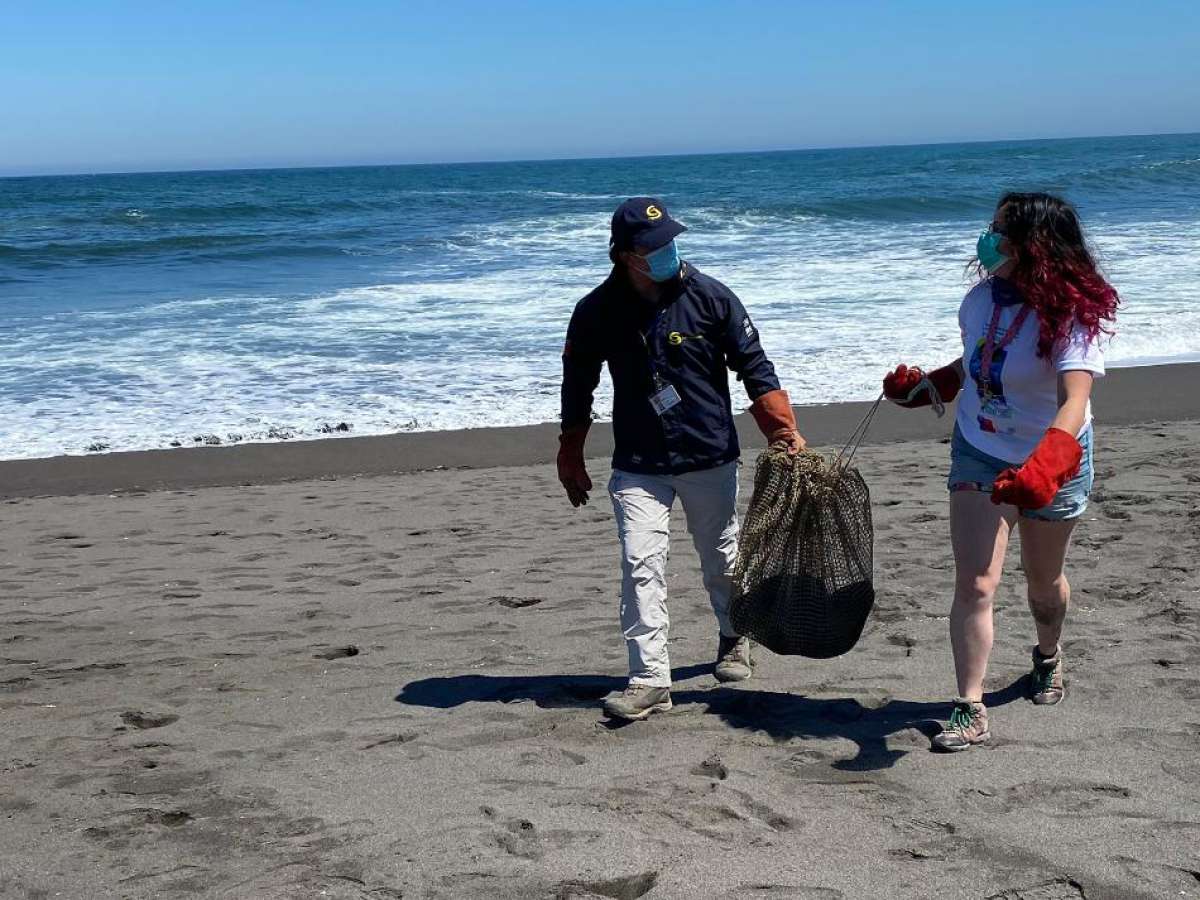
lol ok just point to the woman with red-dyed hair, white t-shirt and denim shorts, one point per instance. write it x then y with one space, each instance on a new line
1033 333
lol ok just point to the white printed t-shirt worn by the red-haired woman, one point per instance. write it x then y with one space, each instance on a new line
1024 387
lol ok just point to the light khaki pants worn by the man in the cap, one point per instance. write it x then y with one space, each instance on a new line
643 505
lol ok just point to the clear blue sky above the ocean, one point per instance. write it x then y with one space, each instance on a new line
104 87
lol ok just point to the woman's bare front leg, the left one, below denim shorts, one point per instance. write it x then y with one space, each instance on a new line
980 535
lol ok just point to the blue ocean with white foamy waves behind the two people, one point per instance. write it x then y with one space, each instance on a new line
172 310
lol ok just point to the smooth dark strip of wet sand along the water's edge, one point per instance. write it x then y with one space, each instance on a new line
1127 397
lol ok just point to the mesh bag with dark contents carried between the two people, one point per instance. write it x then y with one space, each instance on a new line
802 584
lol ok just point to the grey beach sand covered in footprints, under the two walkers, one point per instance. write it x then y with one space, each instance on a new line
388 687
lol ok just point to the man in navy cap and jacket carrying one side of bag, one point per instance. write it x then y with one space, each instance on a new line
668 333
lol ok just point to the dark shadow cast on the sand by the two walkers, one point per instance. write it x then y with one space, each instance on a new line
778 715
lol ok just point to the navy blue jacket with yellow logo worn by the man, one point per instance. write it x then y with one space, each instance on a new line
698 332
